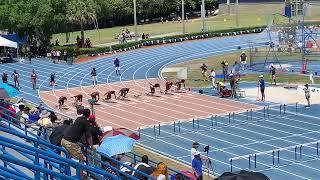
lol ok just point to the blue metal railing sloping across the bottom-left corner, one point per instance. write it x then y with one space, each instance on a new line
42 170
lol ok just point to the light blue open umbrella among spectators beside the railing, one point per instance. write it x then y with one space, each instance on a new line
115 145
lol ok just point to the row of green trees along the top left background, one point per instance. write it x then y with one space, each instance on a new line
39 19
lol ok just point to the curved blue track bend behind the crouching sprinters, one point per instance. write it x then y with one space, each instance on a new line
135 65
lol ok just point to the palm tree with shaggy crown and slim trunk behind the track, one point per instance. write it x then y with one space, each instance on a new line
81 12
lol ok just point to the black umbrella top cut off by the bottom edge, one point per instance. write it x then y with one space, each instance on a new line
243 175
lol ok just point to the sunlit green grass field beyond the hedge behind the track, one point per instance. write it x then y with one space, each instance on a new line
250 15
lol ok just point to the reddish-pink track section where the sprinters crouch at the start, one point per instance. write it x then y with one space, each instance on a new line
145 110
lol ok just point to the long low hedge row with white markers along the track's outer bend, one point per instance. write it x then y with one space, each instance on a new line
97 51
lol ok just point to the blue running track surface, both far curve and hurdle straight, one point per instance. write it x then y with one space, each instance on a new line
146 64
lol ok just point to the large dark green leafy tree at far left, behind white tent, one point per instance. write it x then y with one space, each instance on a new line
38 19
